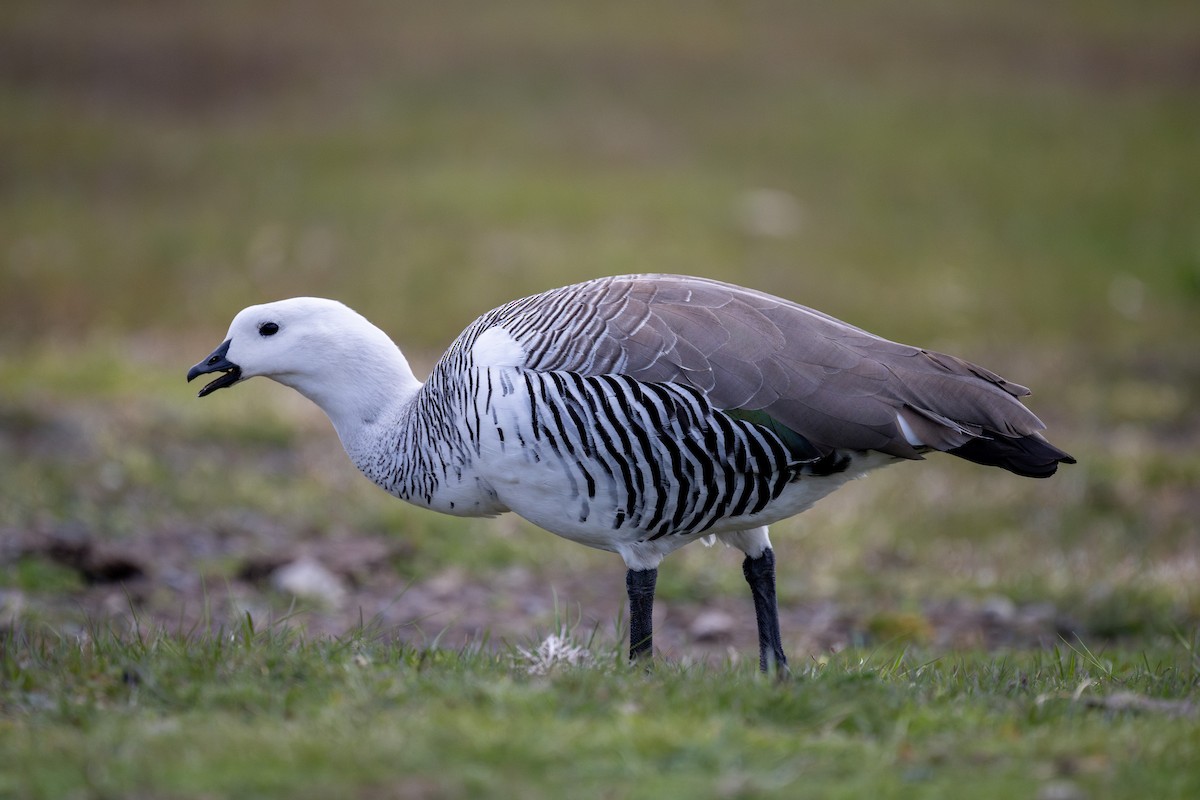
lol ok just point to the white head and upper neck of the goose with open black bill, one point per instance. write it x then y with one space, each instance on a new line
323 350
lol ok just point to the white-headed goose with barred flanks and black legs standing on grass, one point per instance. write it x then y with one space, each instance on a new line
638 414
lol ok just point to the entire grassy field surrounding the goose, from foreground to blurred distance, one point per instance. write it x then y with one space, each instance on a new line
1017 185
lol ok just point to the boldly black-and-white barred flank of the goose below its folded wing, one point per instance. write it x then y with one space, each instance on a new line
656 459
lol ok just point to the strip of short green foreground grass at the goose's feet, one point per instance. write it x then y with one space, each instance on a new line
260 713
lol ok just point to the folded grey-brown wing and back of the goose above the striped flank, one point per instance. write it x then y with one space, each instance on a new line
835 384
